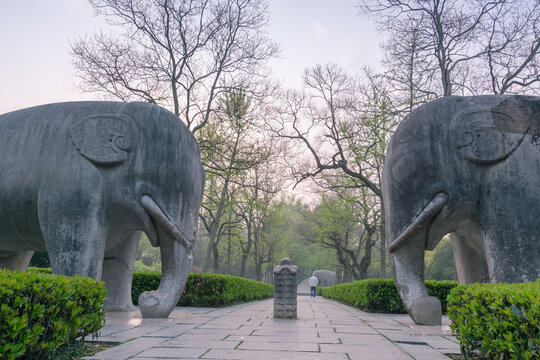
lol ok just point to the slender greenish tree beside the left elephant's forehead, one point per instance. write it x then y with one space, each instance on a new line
228 151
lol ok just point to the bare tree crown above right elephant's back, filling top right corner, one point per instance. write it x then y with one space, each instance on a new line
469 46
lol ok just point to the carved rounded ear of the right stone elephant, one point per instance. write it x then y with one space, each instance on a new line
482 134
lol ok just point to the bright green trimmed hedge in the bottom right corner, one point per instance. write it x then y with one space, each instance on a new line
499 321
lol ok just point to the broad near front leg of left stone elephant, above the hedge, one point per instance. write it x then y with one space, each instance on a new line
73 227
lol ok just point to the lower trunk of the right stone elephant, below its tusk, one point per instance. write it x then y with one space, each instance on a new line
408 263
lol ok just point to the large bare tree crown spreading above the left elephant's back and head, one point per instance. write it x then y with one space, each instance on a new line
177 53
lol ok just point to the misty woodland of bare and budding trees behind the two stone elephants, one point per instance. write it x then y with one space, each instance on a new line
207 61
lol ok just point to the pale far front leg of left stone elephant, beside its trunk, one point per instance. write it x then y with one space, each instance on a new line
118 273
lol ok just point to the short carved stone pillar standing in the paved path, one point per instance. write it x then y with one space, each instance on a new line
285 290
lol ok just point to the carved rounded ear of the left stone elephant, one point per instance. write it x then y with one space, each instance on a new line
104 139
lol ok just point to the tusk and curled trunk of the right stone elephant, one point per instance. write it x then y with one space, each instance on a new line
407 256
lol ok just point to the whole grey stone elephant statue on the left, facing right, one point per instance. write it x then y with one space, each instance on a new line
82 180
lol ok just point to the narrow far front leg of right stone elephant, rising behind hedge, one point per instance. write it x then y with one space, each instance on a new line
469 257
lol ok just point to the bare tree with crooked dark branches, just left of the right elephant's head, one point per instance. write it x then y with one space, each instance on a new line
338 125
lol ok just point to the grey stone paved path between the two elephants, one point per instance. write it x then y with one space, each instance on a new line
324 330
